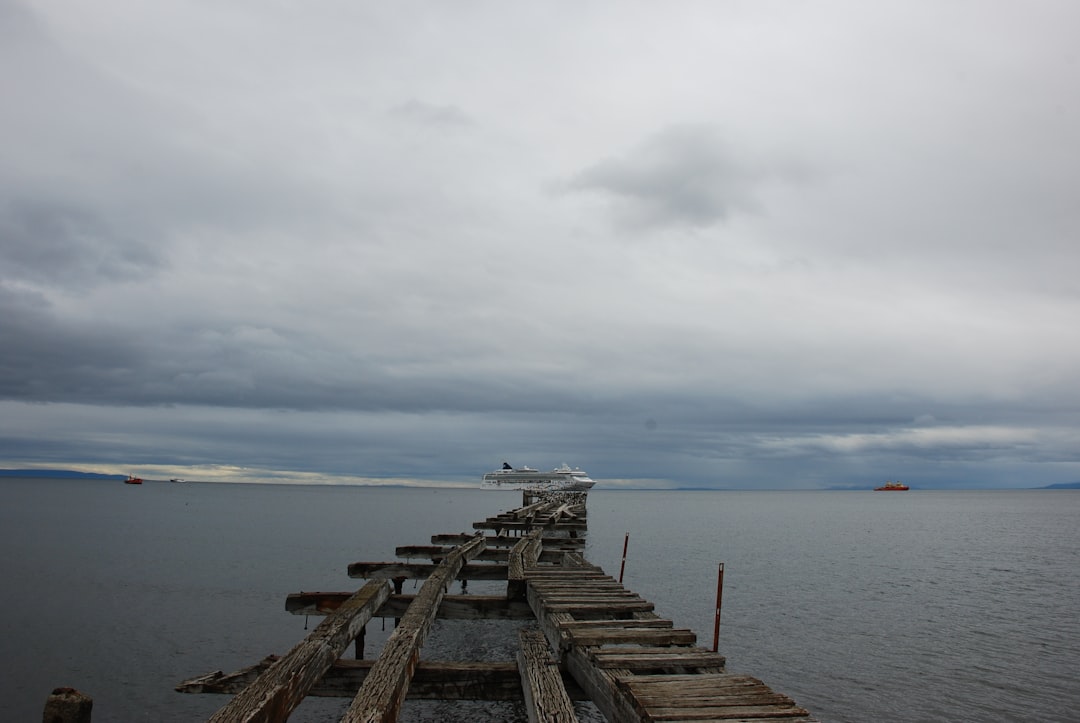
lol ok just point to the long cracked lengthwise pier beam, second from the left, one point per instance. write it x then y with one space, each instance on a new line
383 693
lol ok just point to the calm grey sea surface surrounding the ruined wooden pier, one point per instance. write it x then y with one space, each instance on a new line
914 607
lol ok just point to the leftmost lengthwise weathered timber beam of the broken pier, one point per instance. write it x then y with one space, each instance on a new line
282 687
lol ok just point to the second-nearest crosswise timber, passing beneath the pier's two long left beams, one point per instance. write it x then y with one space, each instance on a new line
453 608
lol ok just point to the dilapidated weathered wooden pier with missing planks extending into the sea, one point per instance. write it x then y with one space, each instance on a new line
582 637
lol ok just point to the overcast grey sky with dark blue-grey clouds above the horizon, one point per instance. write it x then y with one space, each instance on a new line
746 245
